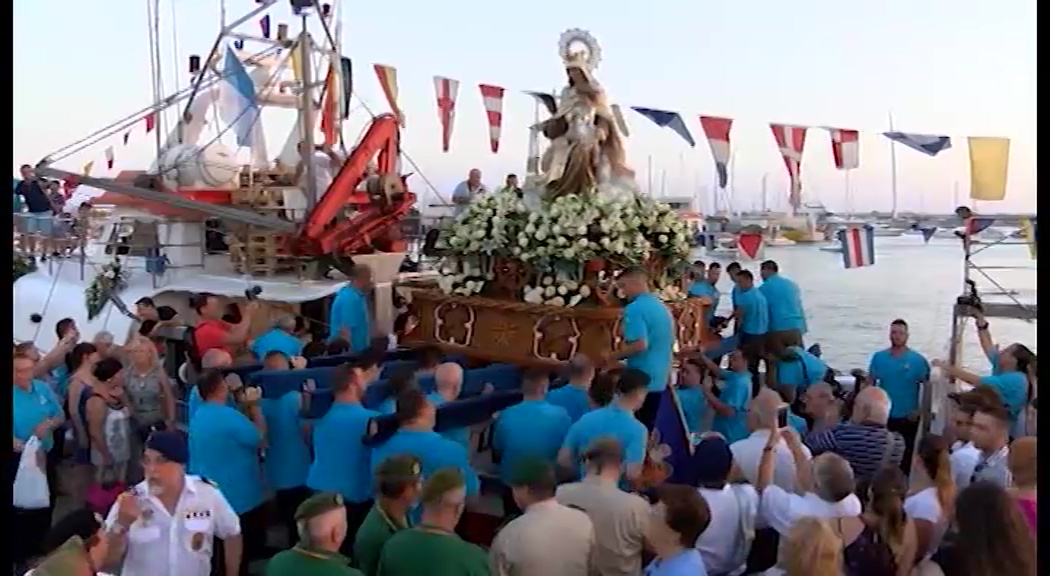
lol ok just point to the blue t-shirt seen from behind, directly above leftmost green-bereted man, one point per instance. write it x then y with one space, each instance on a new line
342 461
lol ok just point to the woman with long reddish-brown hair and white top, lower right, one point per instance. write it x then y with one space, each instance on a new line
933 494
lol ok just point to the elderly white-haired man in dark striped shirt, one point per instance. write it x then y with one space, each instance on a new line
865 442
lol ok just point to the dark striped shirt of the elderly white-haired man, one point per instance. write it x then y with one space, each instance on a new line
868 447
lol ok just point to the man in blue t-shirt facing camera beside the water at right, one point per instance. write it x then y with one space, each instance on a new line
902 373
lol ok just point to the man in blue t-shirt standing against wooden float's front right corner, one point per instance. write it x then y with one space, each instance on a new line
648 338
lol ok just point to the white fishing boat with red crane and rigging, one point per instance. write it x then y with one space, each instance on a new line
287 240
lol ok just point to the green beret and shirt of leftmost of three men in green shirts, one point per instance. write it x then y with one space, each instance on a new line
306 560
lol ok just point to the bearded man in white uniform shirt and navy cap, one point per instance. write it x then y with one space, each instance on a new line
169 524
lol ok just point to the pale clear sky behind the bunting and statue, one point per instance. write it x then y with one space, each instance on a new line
957 68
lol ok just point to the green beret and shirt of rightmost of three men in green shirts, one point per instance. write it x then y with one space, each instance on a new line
433 551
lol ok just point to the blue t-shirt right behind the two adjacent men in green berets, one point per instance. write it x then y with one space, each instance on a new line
434 453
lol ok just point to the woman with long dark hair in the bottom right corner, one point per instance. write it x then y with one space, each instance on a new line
992 537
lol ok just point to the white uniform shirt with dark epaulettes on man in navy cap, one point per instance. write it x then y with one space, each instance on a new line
160 544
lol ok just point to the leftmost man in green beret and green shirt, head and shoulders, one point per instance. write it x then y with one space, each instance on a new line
322 523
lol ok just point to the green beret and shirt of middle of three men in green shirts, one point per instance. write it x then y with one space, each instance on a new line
379 526
